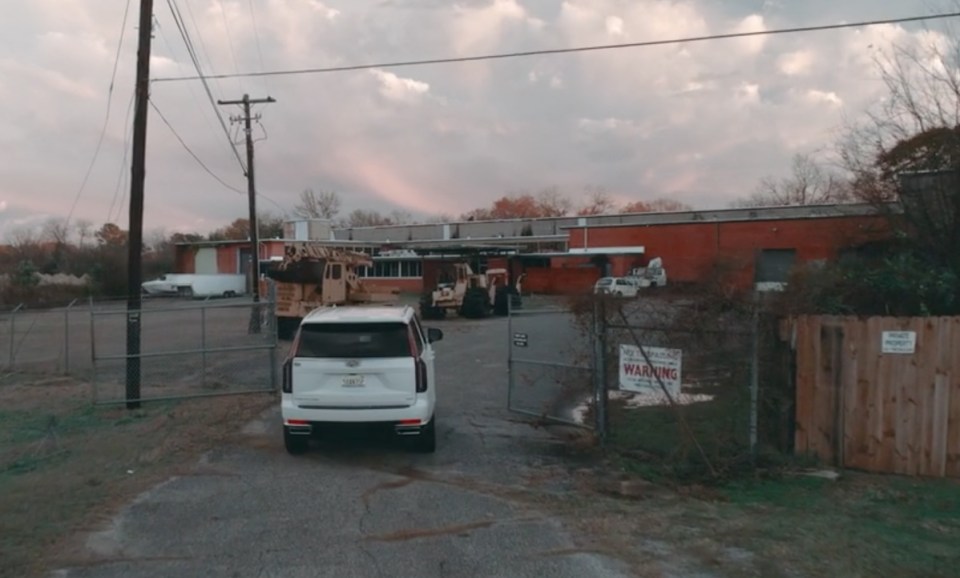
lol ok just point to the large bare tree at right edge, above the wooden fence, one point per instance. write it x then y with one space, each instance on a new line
905 157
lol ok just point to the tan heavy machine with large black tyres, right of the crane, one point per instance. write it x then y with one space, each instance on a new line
470 294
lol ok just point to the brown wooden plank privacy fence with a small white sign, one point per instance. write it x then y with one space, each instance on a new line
880 394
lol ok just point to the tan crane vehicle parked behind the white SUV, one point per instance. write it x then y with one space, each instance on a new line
312 276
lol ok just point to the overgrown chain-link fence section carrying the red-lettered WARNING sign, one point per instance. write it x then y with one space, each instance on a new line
695 387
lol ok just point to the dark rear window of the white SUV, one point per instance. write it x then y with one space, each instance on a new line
346 340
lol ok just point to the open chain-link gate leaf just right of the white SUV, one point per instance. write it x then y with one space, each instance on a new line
551 363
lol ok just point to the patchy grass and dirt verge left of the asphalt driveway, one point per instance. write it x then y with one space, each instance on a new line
63 461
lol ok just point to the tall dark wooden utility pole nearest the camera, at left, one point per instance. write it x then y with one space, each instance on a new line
138 175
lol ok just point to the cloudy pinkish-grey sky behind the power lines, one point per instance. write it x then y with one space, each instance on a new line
700 123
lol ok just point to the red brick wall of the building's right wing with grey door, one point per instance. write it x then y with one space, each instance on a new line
691 251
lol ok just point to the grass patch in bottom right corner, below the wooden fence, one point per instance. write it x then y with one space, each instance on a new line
858 526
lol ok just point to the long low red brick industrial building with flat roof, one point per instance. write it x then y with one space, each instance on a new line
568 254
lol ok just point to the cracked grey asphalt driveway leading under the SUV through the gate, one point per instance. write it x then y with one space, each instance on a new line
359 506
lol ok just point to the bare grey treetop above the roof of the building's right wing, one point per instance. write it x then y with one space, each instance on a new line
808 184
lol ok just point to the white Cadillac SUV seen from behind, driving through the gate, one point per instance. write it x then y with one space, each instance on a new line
370 364
